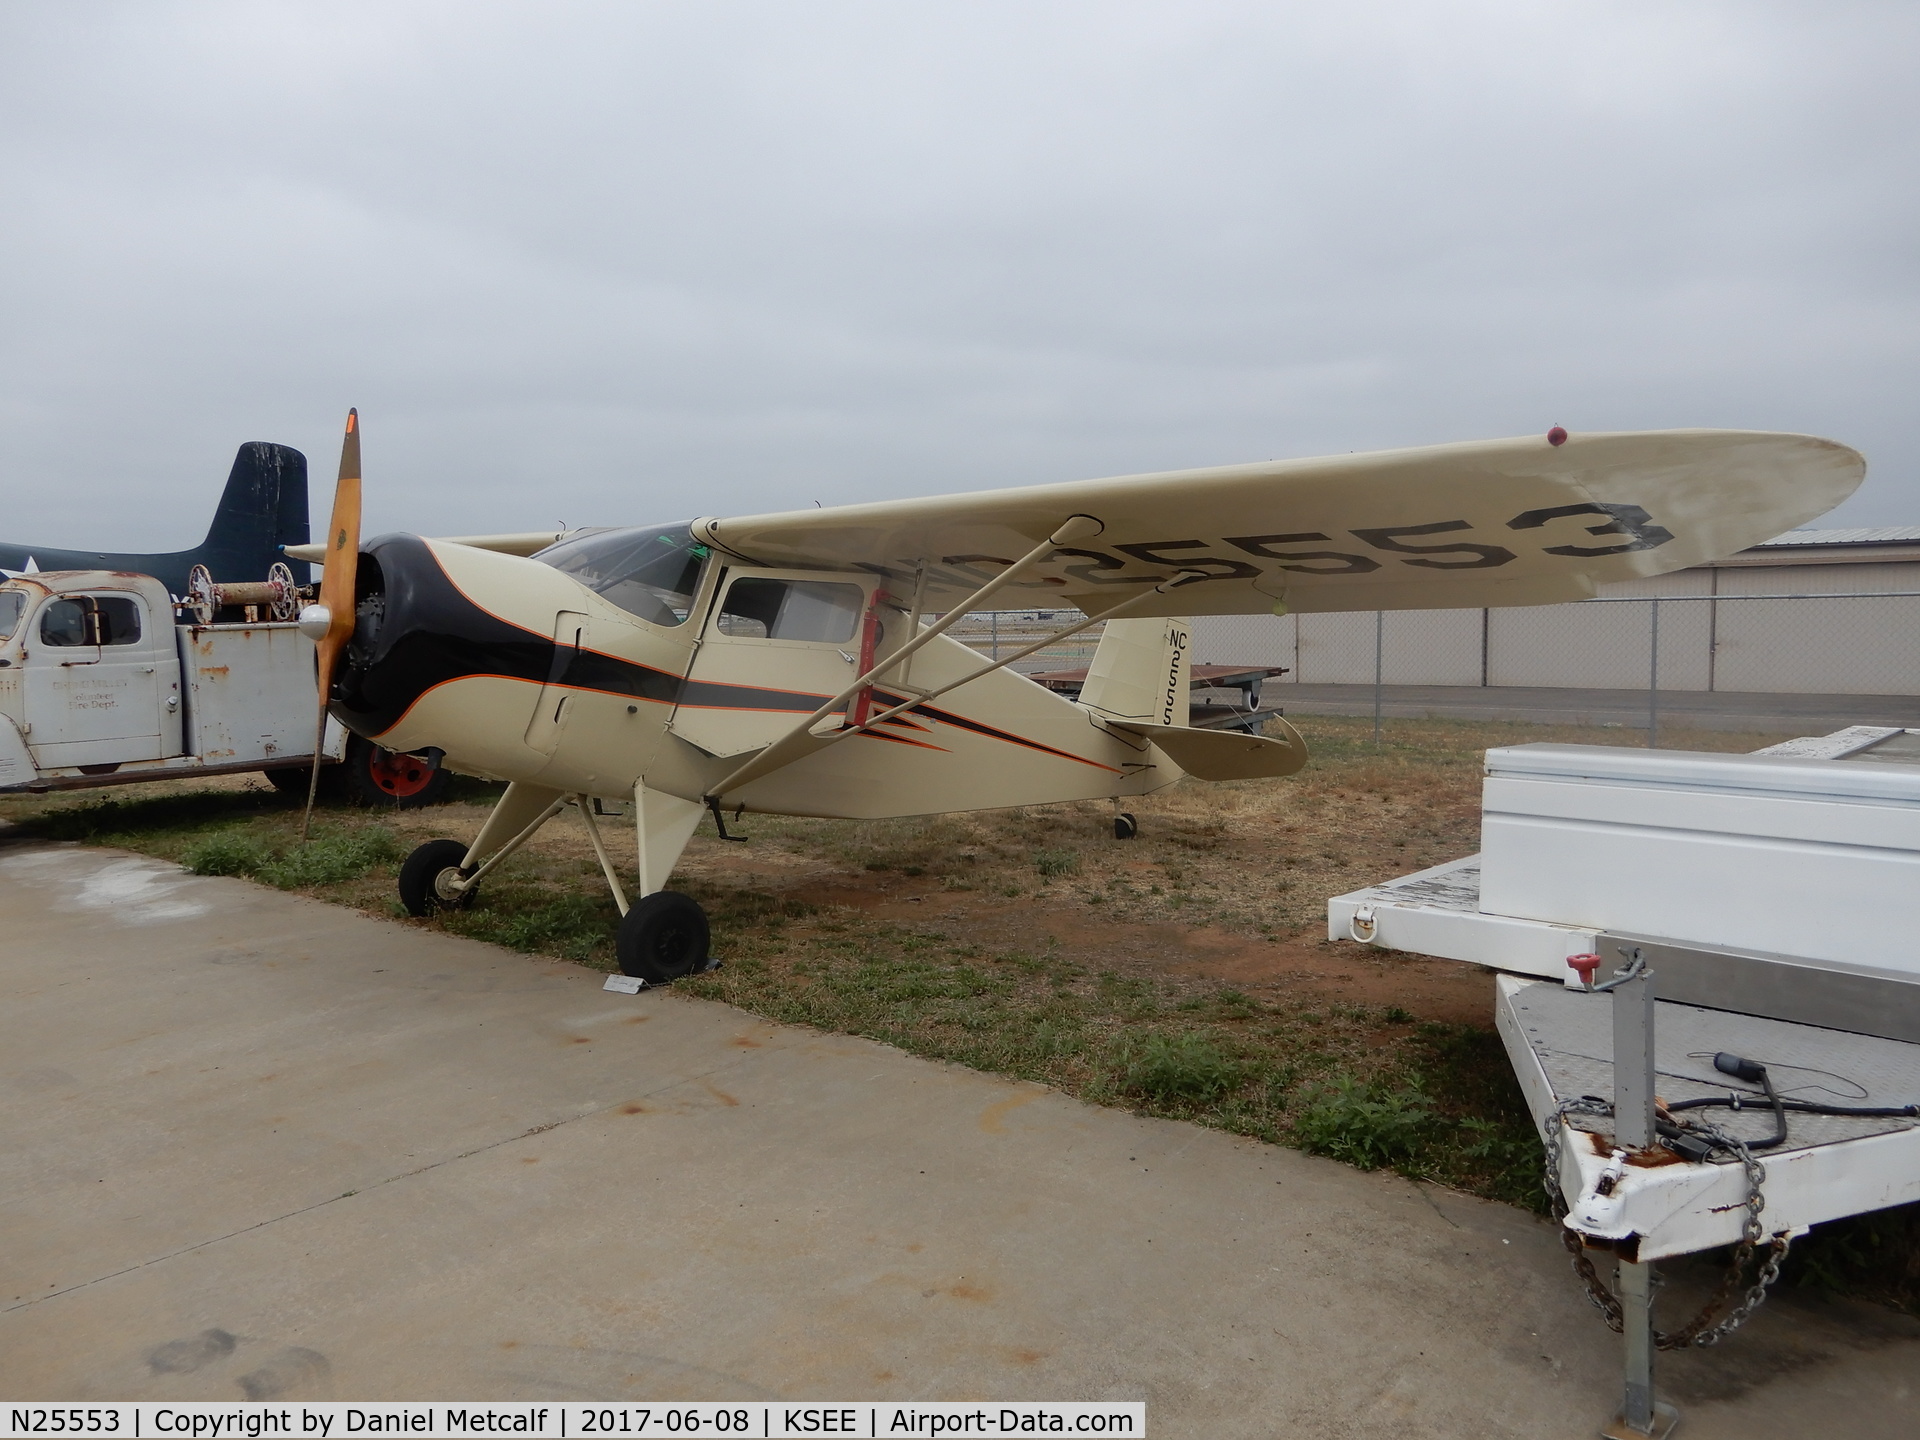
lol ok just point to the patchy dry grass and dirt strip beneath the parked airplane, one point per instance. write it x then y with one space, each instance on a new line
1180 974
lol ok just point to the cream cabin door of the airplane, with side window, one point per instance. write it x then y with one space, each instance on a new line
777 646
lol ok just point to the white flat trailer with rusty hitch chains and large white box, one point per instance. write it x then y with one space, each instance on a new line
1710 997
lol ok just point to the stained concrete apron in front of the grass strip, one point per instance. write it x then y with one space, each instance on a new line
266 1147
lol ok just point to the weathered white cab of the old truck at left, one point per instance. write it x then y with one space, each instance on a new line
89 673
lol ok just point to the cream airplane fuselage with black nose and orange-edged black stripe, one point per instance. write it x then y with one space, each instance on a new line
519 671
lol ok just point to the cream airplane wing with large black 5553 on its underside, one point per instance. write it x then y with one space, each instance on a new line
1485 523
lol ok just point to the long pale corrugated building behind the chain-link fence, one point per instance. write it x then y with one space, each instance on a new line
1863 644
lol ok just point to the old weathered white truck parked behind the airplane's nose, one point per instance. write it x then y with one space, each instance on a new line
103 686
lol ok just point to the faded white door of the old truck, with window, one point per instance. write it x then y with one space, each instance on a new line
95 688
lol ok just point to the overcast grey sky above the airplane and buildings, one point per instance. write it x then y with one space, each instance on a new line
621 264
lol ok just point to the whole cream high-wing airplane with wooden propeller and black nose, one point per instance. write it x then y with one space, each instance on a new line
792 663
